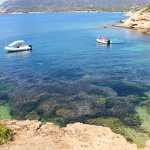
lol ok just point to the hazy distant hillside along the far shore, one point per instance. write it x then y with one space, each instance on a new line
27 6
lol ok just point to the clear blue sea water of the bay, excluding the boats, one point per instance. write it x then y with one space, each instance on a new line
69 77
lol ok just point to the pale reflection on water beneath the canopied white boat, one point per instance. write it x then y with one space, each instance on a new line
18 53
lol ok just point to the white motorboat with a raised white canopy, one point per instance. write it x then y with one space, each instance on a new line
19 47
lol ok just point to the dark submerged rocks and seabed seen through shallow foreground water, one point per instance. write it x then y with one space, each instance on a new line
122 105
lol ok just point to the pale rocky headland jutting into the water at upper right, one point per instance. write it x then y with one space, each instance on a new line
139 20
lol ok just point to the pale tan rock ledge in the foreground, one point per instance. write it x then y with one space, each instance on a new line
32 135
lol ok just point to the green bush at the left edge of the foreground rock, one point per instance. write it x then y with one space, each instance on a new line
5 134
